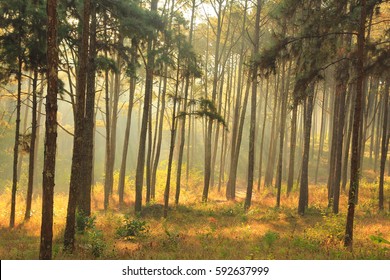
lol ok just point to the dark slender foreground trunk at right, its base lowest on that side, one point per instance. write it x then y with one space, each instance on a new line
355 159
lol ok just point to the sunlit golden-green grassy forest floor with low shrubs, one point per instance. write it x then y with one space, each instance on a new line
215 230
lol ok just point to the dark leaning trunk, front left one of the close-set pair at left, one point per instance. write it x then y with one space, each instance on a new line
79 151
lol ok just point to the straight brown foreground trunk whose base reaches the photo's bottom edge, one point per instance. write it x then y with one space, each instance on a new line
45 251
